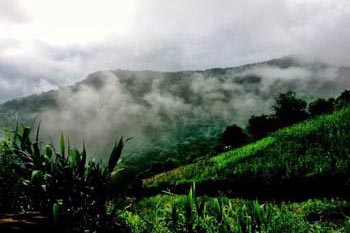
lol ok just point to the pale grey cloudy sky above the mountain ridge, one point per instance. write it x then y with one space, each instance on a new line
46 44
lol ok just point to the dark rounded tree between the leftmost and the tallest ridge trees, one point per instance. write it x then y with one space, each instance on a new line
260 126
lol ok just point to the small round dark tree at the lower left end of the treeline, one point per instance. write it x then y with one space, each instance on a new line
233 137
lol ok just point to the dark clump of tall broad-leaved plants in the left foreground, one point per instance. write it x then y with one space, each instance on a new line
63 185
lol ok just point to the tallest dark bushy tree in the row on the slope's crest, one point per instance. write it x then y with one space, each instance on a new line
288 109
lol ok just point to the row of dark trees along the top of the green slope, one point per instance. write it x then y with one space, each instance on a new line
287 109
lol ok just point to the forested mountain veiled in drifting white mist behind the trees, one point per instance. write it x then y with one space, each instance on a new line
166 107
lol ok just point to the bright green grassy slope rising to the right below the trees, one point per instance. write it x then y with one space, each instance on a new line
309 150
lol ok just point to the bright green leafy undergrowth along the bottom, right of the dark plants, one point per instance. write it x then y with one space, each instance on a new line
189 213
